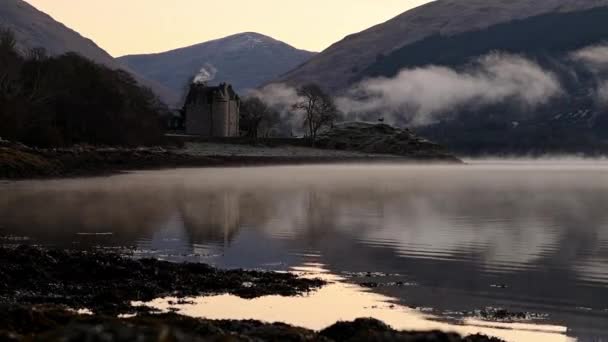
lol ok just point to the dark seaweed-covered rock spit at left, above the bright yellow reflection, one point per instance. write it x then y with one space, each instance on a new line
108 282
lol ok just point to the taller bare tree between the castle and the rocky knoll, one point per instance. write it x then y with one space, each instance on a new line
318 107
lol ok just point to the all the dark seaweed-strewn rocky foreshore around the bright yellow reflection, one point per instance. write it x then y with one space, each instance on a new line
40 290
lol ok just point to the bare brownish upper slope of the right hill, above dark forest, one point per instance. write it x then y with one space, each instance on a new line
340 65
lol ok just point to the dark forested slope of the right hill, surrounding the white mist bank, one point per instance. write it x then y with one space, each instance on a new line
576 121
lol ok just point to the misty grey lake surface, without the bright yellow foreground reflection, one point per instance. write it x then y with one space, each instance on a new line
520 235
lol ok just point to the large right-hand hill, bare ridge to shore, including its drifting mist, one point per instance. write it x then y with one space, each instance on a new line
481 77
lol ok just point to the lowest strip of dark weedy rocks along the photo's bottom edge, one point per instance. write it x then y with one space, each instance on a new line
47 323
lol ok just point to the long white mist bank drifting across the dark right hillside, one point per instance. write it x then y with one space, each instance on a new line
423 94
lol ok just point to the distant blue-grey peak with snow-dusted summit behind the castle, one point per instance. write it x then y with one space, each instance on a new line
246 60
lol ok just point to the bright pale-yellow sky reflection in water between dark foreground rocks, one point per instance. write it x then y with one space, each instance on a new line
341 301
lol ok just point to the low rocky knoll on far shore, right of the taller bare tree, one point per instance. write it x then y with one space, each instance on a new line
382 139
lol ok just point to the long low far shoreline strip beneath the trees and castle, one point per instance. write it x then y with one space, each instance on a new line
23 163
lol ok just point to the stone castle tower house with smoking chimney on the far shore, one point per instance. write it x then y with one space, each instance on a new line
212 111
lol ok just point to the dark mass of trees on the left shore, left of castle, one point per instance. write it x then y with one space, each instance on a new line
68 99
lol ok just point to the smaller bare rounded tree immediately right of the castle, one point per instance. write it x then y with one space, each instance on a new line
256 115
